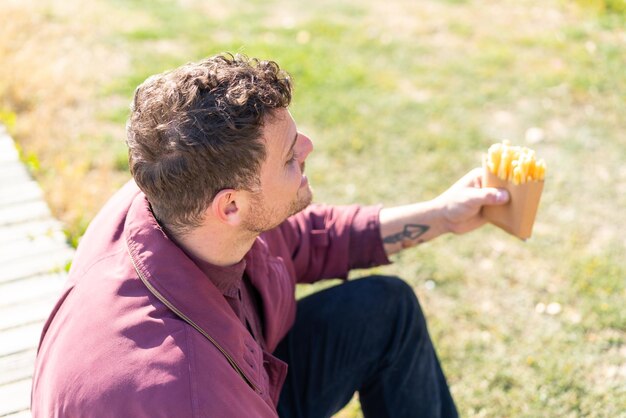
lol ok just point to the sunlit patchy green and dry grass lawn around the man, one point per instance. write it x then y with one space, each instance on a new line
401 99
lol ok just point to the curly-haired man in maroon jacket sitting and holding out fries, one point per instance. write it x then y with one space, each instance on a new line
180 301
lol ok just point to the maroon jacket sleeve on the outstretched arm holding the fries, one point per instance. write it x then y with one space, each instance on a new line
328 241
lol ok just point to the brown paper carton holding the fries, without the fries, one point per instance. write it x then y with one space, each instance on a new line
518 215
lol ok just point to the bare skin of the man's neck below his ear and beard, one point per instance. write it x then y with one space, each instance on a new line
215 245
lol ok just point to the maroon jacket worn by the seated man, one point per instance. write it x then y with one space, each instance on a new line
140 331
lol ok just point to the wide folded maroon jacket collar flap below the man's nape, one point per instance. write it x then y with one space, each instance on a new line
167 271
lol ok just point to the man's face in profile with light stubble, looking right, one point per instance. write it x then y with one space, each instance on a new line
284 188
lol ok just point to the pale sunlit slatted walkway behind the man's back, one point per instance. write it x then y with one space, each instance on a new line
33 257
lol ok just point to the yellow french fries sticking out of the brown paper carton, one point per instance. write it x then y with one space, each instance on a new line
516 164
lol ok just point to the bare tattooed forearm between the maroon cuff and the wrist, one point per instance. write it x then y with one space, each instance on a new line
406 226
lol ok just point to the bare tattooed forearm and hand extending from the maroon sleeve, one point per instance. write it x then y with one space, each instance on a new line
456 210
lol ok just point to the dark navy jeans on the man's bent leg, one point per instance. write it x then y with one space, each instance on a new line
367 335
